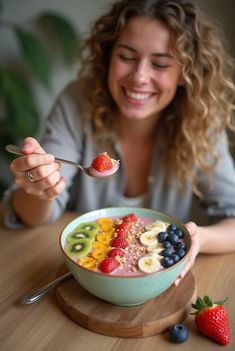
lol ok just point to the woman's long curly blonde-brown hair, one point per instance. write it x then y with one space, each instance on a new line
200 110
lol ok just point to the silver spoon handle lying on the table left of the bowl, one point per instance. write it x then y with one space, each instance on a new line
31 298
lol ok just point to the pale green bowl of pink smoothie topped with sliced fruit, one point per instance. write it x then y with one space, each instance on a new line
125 255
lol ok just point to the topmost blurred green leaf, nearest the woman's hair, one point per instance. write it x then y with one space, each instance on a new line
65 34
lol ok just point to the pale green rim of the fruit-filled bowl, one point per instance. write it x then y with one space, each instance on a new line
130 210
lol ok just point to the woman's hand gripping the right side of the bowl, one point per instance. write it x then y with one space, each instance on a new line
193 230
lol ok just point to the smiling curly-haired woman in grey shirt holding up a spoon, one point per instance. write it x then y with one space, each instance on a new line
153 91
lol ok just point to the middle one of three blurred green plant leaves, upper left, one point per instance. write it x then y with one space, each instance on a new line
34 55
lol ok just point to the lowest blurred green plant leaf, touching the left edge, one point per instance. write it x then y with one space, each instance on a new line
21 115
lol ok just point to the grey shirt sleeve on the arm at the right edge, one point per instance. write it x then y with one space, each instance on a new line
219 190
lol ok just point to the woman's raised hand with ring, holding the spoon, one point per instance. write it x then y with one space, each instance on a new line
37 172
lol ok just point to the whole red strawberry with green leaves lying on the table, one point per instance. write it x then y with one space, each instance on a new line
212 320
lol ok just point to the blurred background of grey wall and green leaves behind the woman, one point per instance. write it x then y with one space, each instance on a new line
50 32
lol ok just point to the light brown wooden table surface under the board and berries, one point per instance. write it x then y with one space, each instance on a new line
29 259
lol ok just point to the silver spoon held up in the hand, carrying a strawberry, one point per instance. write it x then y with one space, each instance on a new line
88 170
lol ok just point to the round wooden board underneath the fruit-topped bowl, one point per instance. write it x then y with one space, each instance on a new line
151 318
